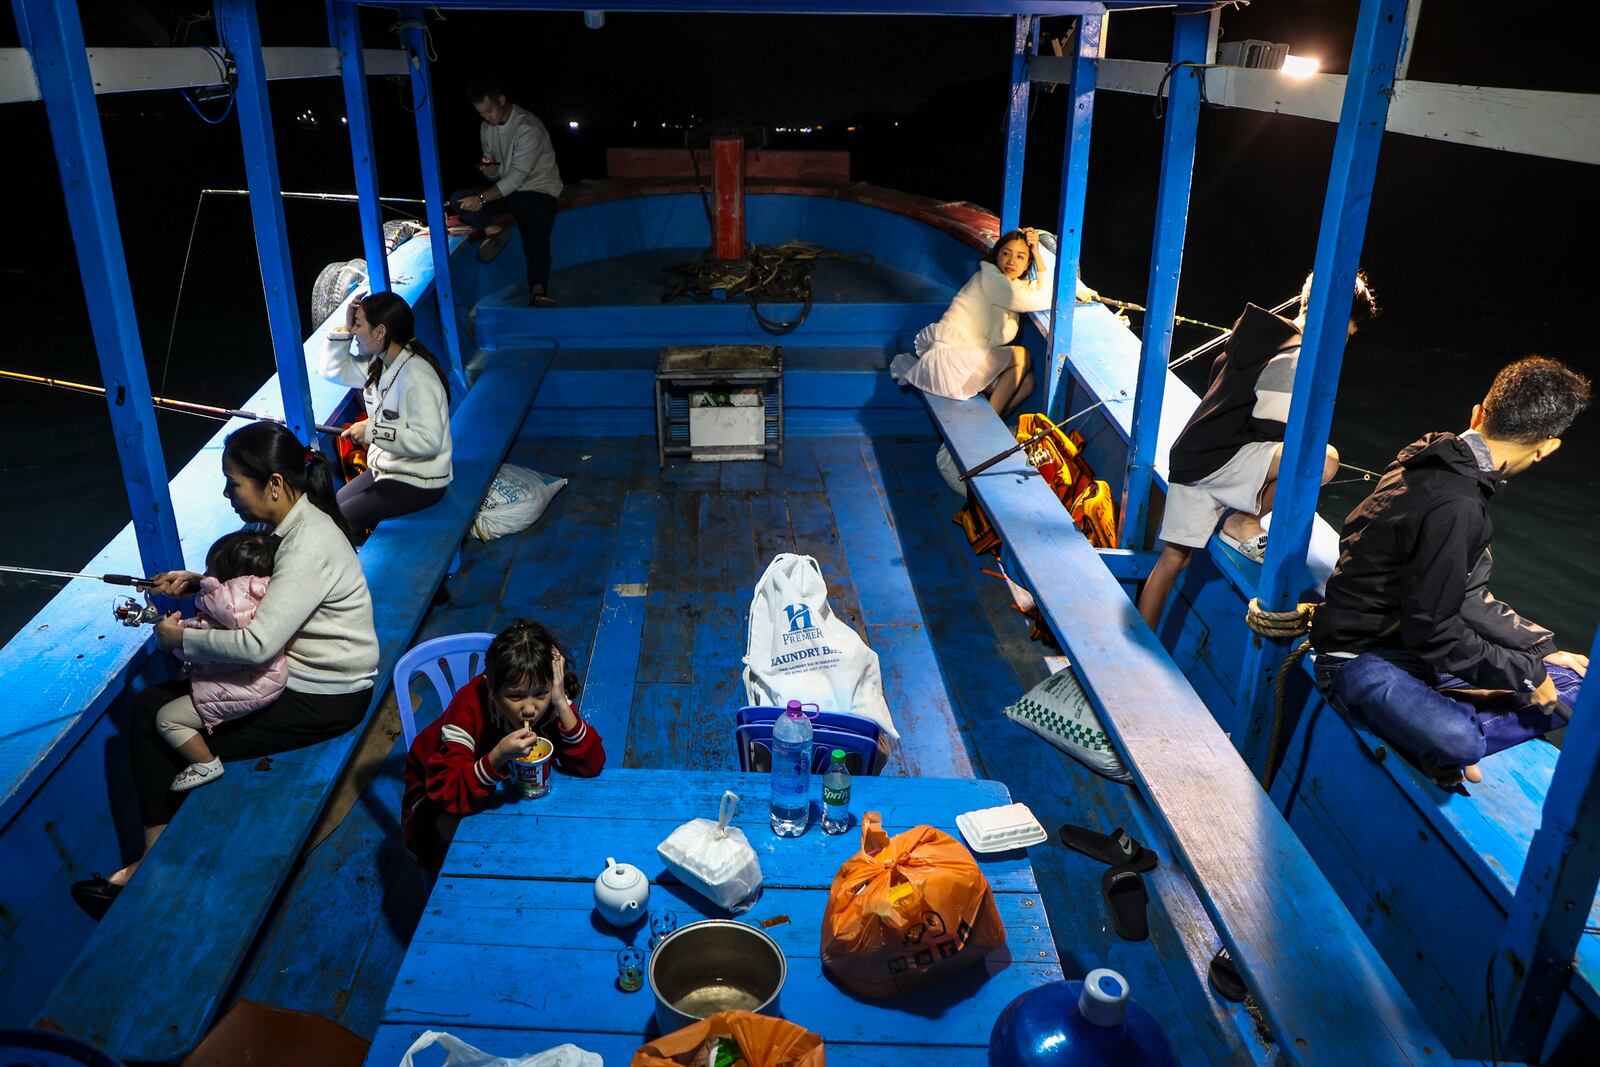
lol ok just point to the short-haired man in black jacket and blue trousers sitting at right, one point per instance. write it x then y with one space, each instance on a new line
1410 642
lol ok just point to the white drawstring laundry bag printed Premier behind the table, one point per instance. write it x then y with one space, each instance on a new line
799 650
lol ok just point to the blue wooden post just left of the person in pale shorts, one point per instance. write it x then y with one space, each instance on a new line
1191 39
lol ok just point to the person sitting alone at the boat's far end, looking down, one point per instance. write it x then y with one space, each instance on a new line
526 183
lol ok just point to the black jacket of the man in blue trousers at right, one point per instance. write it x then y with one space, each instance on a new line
1414 573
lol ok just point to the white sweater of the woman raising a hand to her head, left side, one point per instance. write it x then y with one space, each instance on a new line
407 415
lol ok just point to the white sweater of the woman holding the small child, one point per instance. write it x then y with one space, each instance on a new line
318 612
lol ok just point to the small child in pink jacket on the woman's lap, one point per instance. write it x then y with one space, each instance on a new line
239 569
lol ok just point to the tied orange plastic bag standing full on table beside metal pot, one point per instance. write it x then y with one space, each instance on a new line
908 909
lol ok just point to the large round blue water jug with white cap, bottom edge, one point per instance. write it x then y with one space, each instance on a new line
1079 1025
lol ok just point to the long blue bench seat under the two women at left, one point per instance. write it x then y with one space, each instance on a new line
188 921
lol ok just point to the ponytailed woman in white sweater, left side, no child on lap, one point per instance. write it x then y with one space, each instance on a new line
407 426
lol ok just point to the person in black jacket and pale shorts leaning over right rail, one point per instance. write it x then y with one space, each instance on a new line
1228 454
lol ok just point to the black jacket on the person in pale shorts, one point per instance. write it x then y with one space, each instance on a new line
1225 422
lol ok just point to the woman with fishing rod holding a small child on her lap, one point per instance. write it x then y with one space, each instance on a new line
313 610
